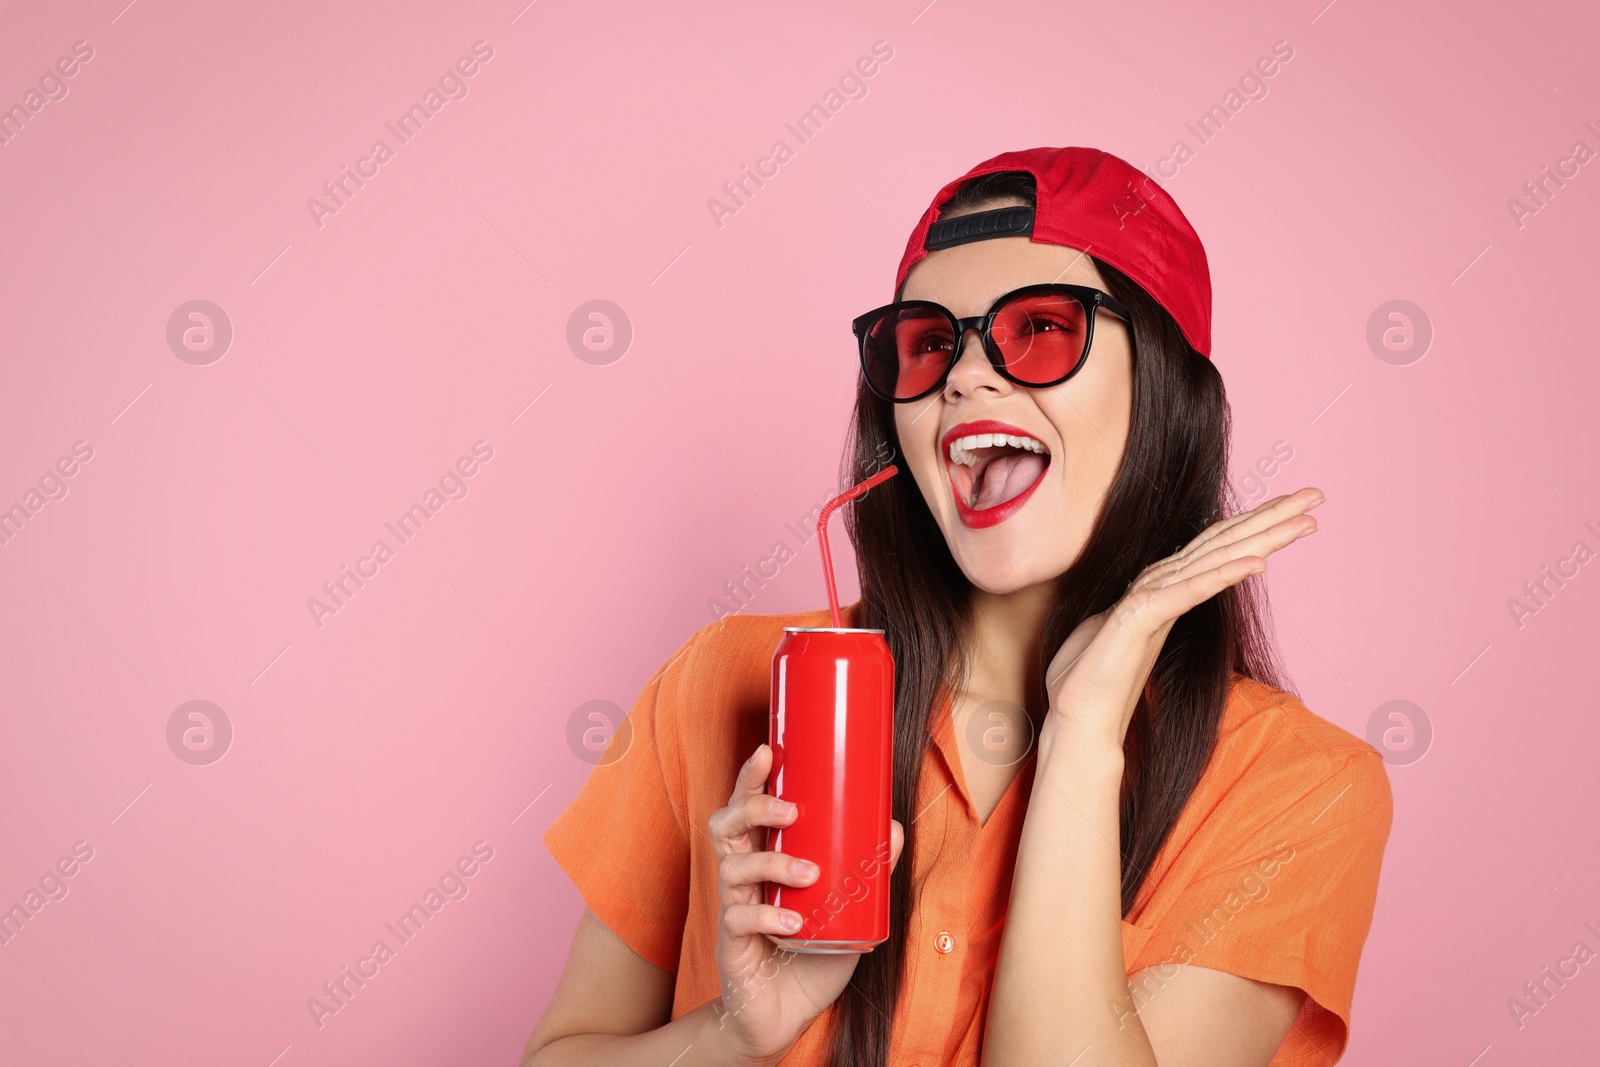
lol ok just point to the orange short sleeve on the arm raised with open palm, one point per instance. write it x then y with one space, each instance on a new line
1286 893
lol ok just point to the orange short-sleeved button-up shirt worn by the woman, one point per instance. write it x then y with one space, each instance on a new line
1271 871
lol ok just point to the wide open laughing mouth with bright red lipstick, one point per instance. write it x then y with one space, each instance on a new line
994 468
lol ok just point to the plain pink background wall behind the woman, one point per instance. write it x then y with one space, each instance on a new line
369 354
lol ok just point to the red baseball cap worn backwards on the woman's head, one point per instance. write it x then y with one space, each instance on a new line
1102 206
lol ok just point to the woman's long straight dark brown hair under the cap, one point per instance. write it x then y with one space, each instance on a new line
1172 486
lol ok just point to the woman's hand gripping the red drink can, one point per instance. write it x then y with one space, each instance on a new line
769 996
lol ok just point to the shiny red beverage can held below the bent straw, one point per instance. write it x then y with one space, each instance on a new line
833 737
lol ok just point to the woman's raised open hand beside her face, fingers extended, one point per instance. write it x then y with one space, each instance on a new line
1097 677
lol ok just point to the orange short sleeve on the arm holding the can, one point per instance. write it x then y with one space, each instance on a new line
623 841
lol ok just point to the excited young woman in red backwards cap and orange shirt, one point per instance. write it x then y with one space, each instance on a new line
1118 837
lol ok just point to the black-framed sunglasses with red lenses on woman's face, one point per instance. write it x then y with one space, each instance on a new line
1034 337
